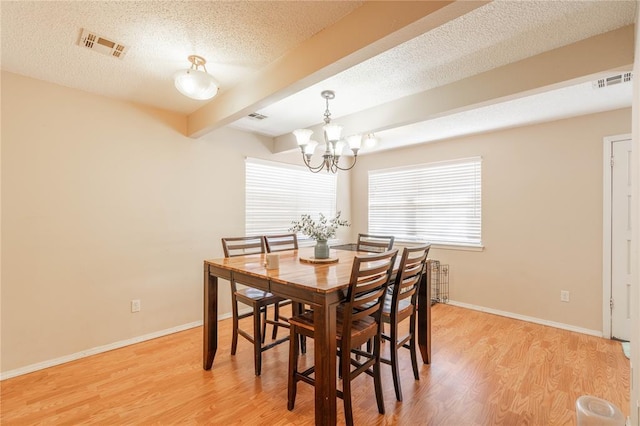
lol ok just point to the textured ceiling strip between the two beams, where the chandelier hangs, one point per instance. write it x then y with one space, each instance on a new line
496 34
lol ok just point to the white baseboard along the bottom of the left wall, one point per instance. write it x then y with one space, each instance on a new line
93 351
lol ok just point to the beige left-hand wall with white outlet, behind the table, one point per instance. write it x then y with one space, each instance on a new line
104 202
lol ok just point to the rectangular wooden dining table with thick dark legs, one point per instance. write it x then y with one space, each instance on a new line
320 285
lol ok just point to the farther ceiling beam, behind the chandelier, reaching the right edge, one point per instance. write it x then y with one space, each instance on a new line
571 64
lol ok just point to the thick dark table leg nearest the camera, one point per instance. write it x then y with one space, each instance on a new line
324 318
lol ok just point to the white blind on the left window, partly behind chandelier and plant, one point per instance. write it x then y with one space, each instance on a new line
278 193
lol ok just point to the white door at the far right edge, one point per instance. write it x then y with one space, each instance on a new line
621 239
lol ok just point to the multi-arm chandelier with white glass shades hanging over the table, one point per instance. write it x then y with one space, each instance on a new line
334 146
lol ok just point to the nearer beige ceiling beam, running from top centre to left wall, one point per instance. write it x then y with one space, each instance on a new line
366 32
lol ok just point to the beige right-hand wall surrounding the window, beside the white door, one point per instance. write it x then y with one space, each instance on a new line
542 216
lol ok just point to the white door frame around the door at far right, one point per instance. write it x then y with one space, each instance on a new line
606 230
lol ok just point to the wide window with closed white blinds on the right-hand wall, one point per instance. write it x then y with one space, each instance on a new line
437 202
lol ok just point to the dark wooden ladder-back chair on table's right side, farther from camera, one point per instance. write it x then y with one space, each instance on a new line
401 306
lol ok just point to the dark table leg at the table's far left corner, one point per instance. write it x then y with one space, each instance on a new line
210 319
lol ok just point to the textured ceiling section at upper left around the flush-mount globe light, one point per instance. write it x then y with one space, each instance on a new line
40 40
